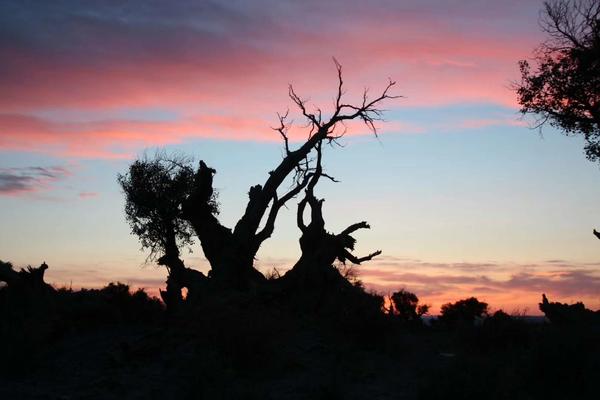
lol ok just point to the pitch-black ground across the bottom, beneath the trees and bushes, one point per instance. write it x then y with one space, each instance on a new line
111 344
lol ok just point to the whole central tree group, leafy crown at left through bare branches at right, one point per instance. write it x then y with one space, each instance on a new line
165 198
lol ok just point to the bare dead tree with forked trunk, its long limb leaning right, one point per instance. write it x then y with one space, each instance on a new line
231 252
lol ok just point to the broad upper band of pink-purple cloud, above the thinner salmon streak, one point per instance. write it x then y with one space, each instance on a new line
435 59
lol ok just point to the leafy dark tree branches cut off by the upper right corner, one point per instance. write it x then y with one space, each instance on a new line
564 88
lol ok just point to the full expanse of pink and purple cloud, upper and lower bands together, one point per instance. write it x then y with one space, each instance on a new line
232 66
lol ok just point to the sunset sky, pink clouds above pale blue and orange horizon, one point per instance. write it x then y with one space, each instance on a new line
463 197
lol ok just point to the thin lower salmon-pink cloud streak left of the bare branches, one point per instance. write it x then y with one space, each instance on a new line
120 138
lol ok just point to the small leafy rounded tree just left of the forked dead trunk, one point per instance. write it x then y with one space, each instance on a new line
154 190
